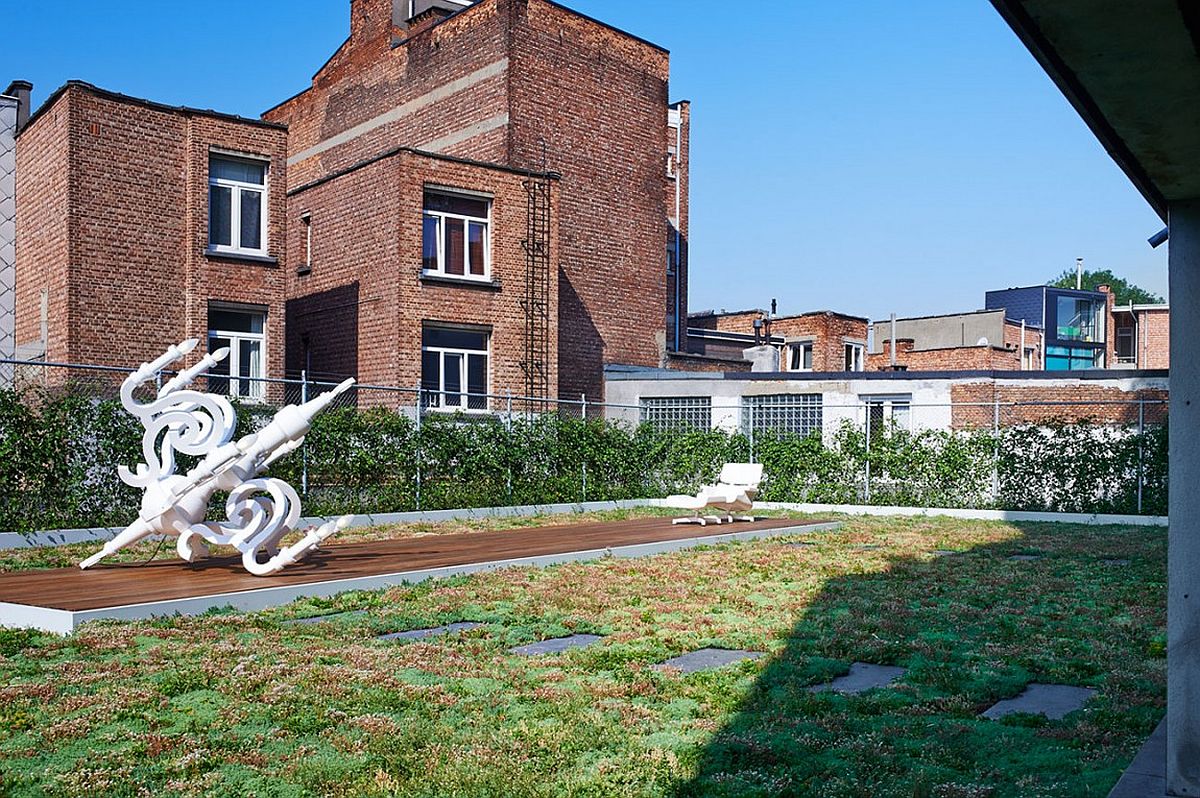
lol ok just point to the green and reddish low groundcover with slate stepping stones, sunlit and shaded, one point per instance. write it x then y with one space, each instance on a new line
245 705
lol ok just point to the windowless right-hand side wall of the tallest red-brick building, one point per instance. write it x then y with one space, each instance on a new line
598 101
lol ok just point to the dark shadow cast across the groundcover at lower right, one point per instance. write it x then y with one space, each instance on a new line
971 628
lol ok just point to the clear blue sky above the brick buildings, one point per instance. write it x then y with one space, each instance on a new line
868 158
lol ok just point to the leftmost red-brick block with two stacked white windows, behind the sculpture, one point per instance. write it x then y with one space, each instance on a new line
140 225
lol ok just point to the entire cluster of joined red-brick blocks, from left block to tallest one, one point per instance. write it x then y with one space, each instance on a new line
478 197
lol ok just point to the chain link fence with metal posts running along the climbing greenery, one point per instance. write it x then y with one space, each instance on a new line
401 448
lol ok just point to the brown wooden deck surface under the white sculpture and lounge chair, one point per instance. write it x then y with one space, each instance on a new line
171 580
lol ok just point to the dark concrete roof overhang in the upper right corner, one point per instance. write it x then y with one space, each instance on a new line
1132 70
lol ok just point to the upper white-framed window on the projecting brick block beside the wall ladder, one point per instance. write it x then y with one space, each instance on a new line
455 237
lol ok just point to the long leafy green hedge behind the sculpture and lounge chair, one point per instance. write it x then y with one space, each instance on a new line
58 459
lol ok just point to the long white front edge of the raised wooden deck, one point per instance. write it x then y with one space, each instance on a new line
64 622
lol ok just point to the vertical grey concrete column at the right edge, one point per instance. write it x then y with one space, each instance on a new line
1184 538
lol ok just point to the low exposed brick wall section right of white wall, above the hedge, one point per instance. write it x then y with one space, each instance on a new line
1069 403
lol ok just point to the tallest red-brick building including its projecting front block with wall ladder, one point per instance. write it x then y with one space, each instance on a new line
441 122
